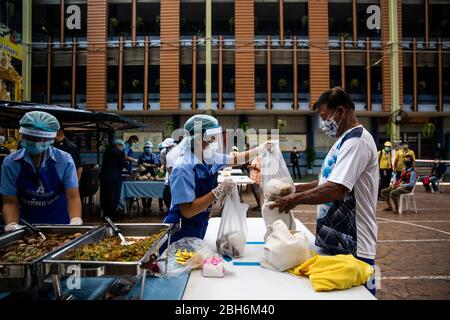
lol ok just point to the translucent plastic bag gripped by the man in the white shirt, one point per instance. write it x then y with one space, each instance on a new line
277 182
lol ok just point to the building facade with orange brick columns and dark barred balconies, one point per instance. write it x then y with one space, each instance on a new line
270 60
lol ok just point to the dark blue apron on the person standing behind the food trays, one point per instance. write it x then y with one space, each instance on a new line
41 195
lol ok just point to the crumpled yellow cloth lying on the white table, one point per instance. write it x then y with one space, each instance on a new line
334 272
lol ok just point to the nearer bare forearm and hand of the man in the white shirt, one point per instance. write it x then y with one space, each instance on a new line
327 192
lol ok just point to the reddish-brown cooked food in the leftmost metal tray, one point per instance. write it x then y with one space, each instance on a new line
32 247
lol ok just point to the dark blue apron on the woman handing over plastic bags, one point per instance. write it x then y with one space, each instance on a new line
205 181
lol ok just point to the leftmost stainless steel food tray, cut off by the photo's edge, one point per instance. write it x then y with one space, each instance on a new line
22 276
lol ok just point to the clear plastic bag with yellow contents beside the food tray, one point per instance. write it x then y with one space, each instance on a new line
191 244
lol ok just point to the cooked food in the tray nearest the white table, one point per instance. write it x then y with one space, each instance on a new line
110 249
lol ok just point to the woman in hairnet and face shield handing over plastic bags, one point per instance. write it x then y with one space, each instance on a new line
193 182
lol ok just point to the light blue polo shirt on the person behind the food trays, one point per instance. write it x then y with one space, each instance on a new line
64 166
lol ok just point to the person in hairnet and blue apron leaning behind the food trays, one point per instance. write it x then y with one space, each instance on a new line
39 182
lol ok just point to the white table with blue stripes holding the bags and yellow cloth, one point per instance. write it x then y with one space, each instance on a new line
253 282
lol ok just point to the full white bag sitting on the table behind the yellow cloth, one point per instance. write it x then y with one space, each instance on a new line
283 249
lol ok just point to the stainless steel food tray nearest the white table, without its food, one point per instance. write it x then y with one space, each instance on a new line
57 265
